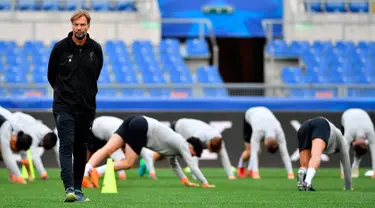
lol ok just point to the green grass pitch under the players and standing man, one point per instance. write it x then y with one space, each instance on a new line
273 190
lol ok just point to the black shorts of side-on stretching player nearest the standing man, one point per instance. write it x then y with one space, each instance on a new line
134 132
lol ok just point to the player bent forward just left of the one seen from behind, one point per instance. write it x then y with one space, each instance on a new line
261 124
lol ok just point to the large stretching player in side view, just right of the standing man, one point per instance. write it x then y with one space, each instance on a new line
139 131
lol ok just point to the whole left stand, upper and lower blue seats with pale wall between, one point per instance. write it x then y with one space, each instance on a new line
133 67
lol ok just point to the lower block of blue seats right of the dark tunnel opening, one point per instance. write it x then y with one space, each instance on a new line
324 62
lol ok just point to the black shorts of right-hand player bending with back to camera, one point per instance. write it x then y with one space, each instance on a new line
311 129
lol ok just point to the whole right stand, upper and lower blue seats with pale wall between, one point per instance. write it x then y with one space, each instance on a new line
327 53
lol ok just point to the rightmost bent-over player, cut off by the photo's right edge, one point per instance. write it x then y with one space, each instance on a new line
358 130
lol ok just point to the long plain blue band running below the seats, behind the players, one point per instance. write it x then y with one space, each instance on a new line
200 104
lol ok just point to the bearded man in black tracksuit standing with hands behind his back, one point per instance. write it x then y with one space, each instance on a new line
73 70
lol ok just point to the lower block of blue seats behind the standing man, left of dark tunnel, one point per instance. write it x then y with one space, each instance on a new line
139 63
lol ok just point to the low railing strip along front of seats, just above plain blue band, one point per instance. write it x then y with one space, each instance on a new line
227 90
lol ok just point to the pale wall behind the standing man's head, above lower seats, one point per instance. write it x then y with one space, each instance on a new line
51 26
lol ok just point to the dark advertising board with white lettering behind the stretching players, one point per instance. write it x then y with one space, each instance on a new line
231 126
